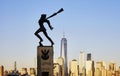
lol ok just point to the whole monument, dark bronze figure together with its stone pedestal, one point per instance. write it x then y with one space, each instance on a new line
45 53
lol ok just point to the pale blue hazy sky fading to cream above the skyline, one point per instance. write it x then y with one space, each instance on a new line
92 26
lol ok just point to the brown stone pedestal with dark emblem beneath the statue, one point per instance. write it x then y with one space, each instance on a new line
44 61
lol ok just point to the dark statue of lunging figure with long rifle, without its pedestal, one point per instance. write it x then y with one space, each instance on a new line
41 21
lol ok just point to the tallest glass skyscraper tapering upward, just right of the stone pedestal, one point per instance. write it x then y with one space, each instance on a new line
63 54
